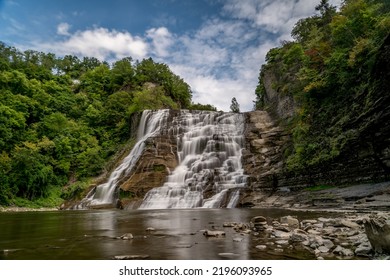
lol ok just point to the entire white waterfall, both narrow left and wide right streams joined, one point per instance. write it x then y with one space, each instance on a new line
209 172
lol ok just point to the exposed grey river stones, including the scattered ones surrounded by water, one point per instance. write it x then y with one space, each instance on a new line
350 236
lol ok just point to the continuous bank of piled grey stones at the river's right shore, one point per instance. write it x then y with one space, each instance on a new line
354 236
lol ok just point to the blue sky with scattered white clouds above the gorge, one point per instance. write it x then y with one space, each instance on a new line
216 46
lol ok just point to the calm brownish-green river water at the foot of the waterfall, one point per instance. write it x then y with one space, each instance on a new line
178 234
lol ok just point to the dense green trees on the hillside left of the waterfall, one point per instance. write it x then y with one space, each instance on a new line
61 119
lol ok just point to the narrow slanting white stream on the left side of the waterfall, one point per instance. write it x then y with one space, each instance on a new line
150 125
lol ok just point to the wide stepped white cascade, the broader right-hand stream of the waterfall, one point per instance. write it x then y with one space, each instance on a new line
209 153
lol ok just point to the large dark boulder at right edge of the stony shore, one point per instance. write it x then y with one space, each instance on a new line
377 228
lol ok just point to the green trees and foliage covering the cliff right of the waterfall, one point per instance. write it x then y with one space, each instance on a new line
327 70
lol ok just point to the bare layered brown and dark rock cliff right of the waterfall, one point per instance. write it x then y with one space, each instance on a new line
359 126
